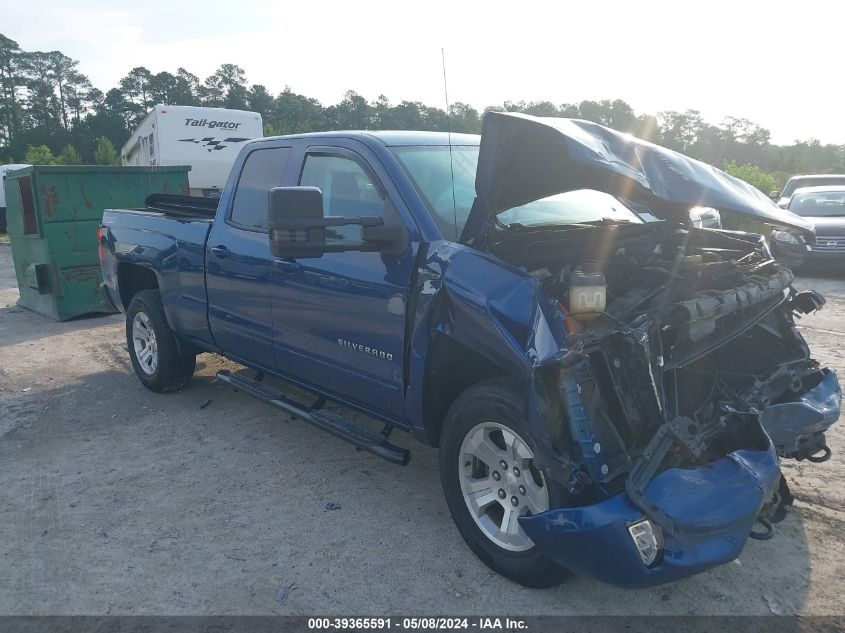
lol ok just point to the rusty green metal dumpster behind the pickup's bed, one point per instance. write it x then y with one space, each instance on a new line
52 215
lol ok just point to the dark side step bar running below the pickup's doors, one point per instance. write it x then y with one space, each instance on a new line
339 426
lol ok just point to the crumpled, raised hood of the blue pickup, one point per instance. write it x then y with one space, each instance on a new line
525 158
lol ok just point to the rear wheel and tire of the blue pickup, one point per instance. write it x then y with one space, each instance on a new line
161 367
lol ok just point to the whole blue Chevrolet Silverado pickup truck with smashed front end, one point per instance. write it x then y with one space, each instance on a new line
610 387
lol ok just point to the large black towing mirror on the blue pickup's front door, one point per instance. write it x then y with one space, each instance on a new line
297 228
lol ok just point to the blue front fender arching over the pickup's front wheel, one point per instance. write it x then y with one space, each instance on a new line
502 315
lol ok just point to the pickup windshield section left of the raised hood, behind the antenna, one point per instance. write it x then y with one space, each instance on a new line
430 168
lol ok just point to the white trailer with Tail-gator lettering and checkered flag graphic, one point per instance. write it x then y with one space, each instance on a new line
207 139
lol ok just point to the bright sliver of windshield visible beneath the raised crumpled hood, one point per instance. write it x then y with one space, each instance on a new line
572 207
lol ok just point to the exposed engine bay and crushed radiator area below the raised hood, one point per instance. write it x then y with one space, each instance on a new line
681 342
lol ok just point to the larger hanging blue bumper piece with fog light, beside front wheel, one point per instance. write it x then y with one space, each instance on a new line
714 506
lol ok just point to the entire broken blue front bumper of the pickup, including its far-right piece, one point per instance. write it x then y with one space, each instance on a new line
698 518
